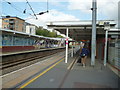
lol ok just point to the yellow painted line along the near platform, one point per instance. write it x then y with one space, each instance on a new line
40 74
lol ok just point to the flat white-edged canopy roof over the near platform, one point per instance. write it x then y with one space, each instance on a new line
80 30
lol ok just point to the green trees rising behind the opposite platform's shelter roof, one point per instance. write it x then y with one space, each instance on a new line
46 33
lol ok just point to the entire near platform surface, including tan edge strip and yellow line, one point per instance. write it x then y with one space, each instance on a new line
55 73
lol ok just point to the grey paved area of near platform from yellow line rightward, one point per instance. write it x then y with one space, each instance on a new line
61 76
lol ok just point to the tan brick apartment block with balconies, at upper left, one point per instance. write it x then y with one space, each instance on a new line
13 23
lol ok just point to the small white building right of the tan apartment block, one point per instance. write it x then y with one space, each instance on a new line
30 28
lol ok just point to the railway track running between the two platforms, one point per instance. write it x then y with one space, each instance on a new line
9 66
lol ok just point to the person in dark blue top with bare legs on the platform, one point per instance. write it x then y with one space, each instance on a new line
83 53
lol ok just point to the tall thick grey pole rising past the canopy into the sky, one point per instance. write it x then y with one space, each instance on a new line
93 42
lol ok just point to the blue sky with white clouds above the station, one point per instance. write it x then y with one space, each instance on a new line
60 10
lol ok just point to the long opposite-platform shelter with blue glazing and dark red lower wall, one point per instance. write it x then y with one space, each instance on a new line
13 41
